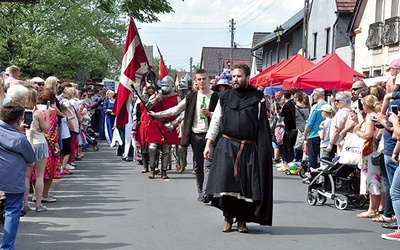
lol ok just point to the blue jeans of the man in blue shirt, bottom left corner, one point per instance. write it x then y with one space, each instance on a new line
13 209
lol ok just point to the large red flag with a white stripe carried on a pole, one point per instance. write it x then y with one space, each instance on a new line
134 61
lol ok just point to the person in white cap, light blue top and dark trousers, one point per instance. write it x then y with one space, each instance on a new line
312 127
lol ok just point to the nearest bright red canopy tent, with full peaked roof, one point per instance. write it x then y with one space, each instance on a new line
331 72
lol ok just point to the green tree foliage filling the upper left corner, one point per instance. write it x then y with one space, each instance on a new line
63 37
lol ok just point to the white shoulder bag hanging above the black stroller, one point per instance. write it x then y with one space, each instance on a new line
352 149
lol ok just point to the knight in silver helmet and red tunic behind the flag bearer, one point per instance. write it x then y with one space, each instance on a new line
160 132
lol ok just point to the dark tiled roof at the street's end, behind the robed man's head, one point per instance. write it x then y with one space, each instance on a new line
214 59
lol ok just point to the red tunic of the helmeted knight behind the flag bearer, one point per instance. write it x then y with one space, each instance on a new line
154 135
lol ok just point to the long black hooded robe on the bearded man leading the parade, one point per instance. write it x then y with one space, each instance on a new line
244 117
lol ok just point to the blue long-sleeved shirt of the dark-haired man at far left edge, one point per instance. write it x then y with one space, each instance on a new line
15 153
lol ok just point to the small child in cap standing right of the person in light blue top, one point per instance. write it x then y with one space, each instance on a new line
324 132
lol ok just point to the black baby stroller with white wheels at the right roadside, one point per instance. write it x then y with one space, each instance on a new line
336 182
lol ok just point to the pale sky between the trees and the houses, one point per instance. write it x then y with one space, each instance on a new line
205 23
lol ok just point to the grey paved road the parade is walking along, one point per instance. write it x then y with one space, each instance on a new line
108 204
